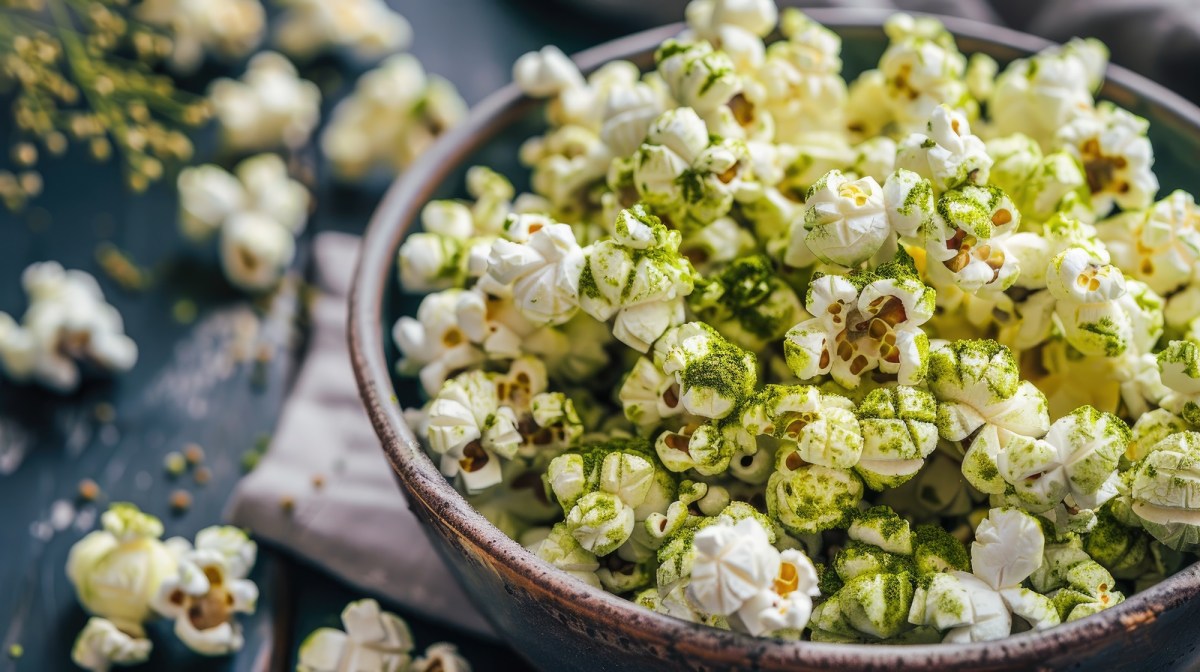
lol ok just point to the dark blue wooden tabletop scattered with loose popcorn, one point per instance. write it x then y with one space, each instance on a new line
197 382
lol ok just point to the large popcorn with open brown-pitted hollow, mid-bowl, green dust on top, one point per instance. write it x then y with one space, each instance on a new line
865 322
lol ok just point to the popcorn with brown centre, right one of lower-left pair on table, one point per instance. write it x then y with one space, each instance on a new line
209 589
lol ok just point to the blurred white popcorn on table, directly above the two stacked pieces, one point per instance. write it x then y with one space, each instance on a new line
269 107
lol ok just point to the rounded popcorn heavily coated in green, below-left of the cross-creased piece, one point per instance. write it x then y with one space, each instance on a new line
812 499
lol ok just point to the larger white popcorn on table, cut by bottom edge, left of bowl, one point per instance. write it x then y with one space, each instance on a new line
373 640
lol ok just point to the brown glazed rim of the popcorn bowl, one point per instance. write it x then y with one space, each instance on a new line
423 481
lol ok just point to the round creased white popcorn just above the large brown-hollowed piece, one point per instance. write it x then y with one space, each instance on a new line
845 220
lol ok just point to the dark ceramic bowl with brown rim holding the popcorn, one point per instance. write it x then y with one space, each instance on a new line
560 623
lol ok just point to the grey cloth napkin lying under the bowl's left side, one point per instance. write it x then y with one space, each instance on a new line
347 514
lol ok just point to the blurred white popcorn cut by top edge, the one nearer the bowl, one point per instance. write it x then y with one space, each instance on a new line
369 29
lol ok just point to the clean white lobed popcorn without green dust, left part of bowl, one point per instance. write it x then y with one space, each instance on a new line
543 272
